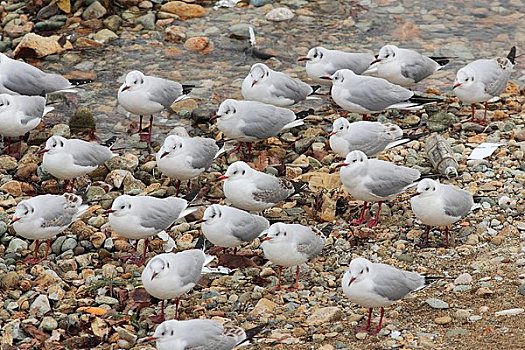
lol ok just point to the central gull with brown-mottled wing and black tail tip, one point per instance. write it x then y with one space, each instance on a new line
252 190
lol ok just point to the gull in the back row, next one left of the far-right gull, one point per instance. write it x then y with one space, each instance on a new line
403 66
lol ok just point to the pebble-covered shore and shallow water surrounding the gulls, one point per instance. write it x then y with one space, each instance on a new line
46 305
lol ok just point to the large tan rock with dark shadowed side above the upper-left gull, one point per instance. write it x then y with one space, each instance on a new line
33 45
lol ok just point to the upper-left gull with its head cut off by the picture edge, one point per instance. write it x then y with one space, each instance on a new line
20 78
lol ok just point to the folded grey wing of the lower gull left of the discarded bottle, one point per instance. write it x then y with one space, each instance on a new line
389 179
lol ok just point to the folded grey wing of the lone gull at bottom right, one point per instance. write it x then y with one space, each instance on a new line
394 284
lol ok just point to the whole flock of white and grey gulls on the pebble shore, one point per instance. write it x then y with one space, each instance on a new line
358 82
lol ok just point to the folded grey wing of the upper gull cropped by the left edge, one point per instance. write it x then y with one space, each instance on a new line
28 80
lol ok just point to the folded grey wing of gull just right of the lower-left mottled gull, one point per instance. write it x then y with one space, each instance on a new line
160 214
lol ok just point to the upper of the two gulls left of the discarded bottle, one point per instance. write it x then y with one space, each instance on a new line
369 137
